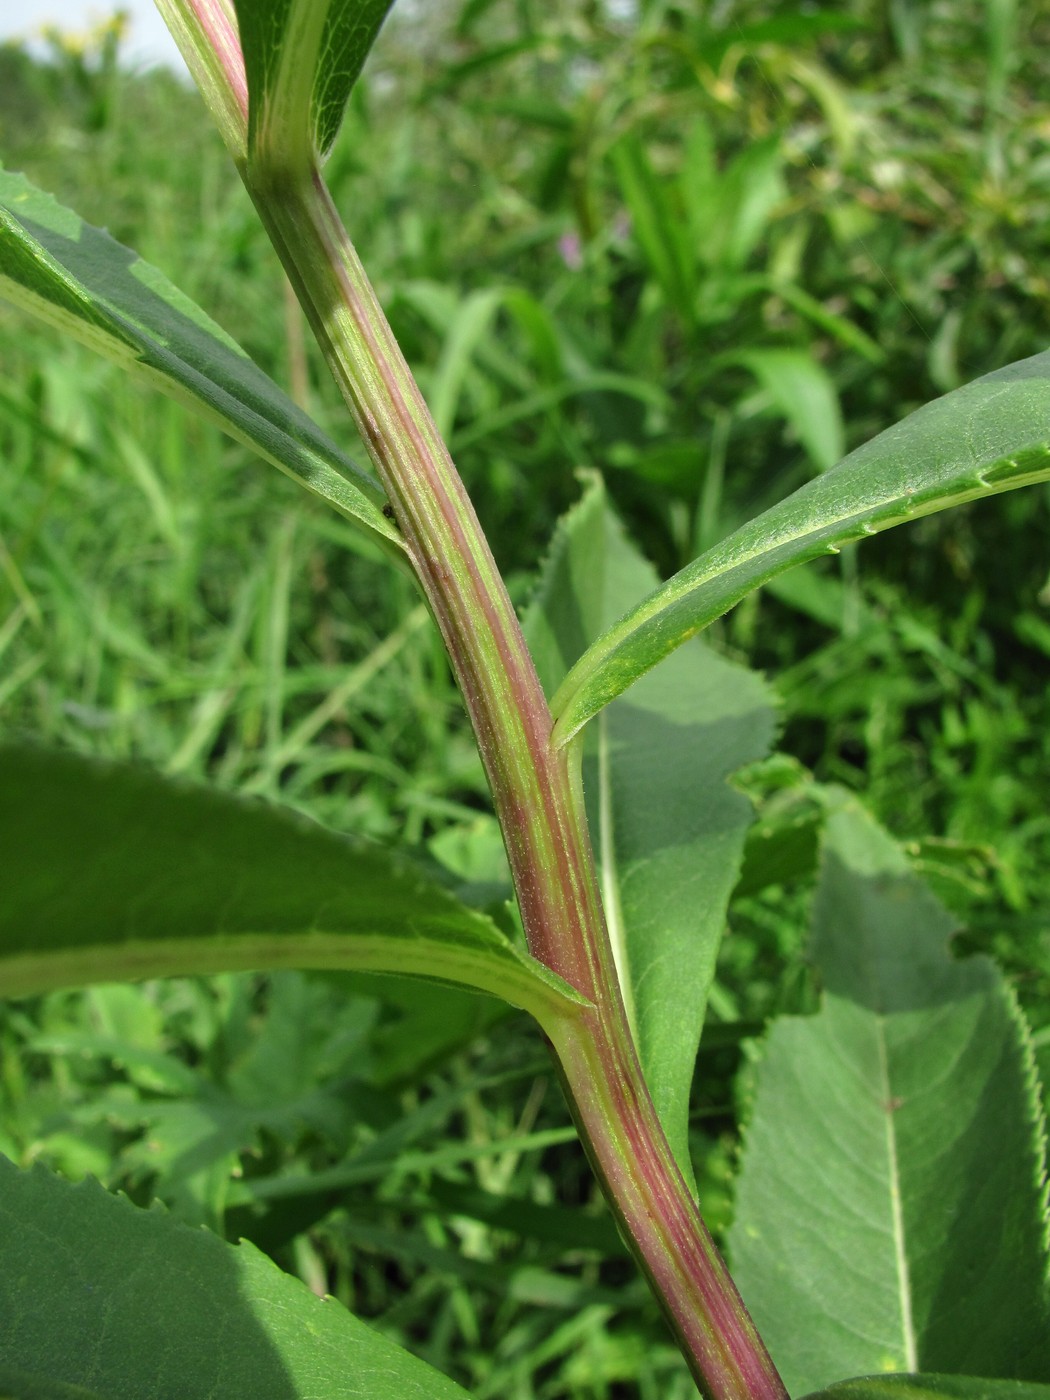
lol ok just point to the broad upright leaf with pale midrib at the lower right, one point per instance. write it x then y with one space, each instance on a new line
891 1210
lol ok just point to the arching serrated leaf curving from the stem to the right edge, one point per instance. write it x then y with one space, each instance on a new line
988 437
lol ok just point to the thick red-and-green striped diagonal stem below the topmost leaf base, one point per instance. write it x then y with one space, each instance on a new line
535 787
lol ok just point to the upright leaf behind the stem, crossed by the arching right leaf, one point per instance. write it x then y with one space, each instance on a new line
668 828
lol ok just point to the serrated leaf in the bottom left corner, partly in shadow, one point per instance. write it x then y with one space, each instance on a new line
135 1307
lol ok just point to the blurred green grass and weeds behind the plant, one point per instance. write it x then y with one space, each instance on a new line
703 247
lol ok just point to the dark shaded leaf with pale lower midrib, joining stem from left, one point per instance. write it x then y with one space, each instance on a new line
117 874
